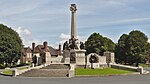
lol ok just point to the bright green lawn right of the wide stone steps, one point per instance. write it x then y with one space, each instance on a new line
99 72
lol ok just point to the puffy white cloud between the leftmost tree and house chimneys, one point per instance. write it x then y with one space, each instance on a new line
27 37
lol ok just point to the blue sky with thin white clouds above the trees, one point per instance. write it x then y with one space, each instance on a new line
50 20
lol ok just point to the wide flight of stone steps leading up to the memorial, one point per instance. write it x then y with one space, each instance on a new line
53 70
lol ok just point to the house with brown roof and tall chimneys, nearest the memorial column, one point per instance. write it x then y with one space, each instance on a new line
45 54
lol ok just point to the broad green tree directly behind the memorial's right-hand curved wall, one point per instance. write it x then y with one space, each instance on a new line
96 43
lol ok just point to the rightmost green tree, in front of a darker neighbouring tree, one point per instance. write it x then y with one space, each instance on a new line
138 43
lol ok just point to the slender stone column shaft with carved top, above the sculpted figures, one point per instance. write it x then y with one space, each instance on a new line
73 10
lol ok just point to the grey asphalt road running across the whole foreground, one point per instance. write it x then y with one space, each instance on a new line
128 79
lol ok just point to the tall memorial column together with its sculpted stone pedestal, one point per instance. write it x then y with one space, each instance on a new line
71 51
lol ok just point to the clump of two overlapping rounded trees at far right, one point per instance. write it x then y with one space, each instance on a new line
133 48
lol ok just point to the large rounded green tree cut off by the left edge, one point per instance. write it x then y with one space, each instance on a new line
10 45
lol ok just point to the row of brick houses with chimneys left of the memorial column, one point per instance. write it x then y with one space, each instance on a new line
44 54
